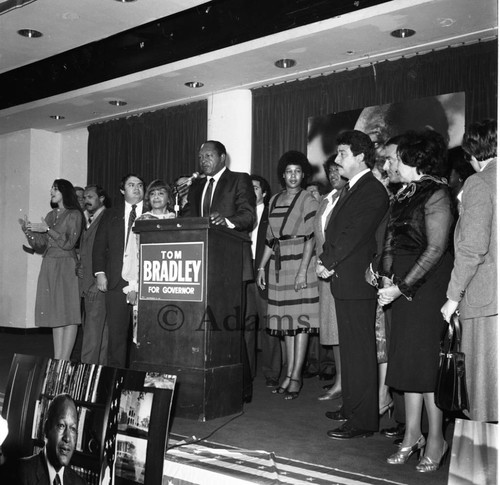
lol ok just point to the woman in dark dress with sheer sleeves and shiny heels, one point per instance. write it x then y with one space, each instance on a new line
415 269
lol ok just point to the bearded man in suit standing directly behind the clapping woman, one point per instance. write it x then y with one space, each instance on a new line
95 329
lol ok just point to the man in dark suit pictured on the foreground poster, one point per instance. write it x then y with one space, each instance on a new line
51 465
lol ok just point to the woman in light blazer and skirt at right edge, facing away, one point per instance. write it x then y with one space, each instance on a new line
473 285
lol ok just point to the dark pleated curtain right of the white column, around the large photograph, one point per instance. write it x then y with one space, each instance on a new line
280 112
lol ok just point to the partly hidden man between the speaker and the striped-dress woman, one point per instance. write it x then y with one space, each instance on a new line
256 308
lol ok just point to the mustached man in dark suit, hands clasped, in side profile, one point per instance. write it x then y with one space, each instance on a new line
348 250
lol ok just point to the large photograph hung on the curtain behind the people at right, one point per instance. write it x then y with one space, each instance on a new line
444 114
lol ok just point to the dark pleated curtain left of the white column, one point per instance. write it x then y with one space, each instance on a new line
161 144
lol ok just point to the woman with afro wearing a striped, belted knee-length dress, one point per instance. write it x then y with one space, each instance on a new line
293 301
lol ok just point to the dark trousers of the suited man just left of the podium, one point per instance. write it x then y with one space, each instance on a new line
119 316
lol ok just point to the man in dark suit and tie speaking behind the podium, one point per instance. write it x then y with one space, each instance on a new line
228 199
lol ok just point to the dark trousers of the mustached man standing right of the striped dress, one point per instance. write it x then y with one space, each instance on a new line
356 322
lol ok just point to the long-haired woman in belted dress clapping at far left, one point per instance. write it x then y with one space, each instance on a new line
57 295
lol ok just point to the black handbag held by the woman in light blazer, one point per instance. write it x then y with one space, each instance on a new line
451 388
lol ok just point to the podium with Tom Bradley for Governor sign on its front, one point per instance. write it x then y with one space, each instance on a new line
190 312
